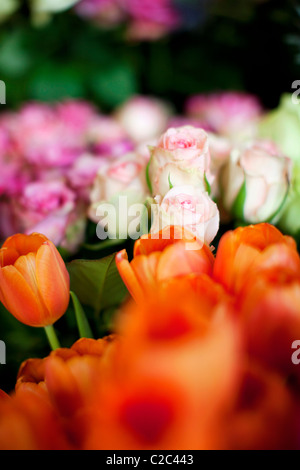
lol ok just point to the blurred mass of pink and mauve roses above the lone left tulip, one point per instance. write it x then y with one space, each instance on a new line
50 156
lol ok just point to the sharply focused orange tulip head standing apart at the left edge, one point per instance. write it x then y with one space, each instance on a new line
34 281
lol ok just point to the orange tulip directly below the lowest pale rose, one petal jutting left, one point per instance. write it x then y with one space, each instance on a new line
161 258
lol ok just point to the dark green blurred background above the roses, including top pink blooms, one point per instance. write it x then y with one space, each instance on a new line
107 50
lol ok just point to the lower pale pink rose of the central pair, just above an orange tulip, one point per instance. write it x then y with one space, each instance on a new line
188 207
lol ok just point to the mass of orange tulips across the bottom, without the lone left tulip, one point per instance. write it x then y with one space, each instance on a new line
201 360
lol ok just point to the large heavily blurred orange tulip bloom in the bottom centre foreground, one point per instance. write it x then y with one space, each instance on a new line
176 374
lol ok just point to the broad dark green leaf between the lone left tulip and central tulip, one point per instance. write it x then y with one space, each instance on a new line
97 283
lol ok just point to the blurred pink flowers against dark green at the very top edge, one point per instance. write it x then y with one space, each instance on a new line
147 19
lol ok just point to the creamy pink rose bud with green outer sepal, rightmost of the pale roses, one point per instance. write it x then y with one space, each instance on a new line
256 182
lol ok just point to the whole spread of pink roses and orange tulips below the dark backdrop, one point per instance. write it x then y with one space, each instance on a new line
159 254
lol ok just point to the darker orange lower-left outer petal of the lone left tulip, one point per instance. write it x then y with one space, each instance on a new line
19 299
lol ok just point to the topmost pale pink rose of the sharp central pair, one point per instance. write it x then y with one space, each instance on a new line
180 158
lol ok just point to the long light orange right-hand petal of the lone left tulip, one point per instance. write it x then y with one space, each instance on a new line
53 281
